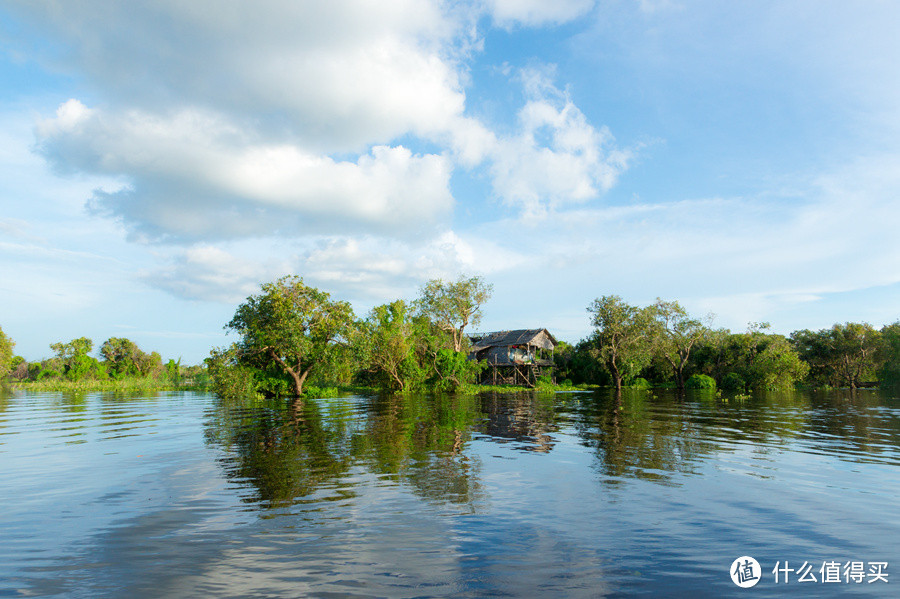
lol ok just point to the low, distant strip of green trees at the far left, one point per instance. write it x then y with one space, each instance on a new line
121 359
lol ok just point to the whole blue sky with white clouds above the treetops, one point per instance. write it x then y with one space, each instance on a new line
161 159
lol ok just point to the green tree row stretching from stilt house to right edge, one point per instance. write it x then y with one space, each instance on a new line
662 344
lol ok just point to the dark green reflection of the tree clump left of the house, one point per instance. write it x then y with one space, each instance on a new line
313 450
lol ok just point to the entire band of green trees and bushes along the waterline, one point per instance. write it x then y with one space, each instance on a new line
295 340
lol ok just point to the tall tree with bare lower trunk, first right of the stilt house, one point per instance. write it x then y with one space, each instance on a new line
623 336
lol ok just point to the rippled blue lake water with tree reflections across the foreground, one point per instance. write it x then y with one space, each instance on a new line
554 495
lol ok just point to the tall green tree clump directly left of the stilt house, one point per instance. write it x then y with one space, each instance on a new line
294 337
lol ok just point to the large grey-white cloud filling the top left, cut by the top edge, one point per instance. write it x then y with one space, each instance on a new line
336 75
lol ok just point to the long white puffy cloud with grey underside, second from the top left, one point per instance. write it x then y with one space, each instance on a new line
194 175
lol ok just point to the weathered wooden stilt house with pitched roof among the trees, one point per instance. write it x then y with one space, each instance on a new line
514 357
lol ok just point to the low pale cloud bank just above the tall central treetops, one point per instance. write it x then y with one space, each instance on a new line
364 269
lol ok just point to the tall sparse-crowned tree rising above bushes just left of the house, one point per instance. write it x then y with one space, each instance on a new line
454 306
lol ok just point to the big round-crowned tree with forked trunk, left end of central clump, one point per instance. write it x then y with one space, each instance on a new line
290 325
